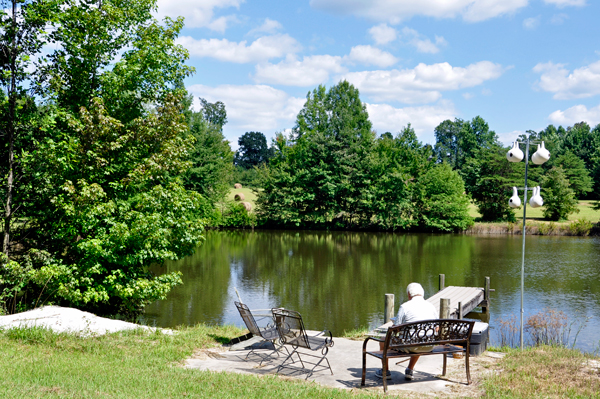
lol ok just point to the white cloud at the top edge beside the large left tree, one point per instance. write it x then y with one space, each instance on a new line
198 13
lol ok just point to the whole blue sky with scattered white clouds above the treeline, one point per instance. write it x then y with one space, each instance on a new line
519 64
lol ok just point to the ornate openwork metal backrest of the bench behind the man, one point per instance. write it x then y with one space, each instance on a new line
429 332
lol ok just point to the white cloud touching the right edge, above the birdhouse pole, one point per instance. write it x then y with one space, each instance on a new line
582 82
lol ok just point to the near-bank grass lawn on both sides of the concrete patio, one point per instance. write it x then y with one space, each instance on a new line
36 363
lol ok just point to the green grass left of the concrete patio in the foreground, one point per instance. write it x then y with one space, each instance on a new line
36 363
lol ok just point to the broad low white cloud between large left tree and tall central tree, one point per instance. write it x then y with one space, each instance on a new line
251 108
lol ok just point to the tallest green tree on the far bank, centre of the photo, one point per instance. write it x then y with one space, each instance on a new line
321 176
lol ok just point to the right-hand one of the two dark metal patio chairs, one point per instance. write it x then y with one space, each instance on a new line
292 332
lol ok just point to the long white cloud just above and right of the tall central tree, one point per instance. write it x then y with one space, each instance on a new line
424 83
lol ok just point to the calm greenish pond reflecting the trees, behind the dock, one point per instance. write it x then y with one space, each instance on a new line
338 280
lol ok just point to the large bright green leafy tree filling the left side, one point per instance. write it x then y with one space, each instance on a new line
101 195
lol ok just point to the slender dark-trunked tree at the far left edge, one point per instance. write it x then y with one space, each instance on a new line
22 35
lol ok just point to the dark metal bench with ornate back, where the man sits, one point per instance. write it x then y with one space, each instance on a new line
445 335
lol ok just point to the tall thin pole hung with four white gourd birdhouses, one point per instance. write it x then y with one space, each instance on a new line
539 157
